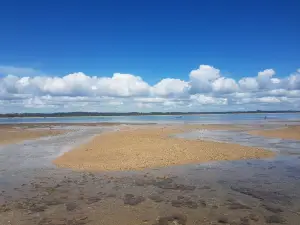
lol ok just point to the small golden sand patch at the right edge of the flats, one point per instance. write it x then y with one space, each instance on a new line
289 132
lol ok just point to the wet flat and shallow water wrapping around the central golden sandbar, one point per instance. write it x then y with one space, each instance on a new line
239 192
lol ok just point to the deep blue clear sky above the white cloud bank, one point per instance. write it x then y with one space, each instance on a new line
150 39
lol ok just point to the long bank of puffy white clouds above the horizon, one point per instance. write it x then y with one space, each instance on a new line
205 89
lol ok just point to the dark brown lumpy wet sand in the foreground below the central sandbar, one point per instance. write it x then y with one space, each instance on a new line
185 196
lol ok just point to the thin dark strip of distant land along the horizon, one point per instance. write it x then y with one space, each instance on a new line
73 114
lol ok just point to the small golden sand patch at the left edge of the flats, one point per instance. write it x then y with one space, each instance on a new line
9 134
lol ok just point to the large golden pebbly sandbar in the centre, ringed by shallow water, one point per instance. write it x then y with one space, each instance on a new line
150 147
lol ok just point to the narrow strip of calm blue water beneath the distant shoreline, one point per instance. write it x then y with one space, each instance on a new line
217 119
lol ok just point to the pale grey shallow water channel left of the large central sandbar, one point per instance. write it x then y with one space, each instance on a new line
23 161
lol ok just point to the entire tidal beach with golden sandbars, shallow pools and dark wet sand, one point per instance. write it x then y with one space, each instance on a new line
147 173
